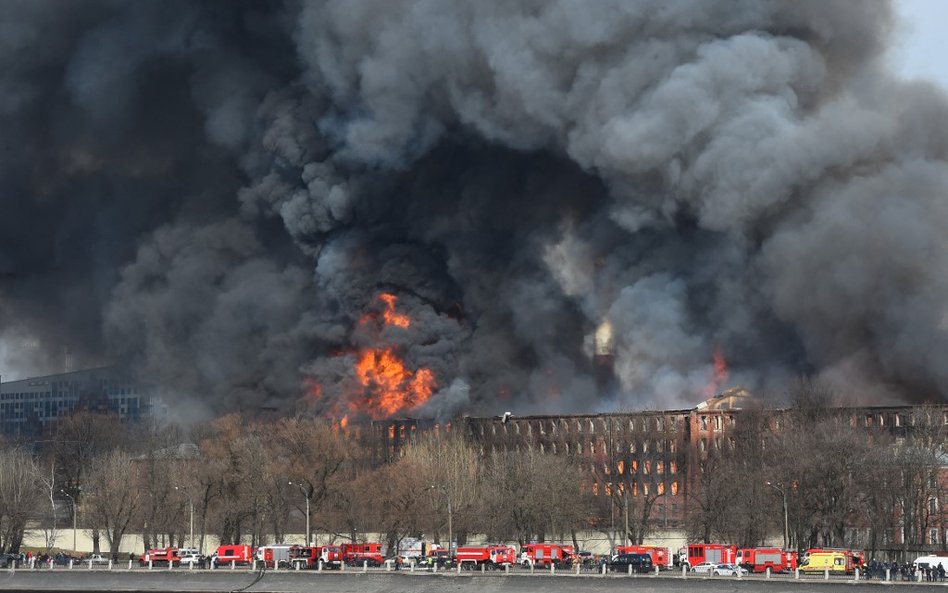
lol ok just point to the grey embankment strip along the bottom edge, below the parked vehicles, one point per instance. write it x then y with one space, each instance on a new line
405 582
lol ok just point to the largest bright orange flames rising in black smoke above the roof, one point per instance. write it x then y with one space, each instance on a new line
385 385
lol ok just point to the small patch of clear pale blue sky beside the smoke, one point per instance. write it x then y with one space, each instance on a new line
923 40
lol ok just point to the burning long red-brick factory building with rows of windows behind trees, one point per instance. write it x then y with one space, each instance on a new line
646 455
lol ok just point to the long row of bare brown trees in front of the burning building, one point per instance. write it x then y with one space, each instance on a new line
251 481
